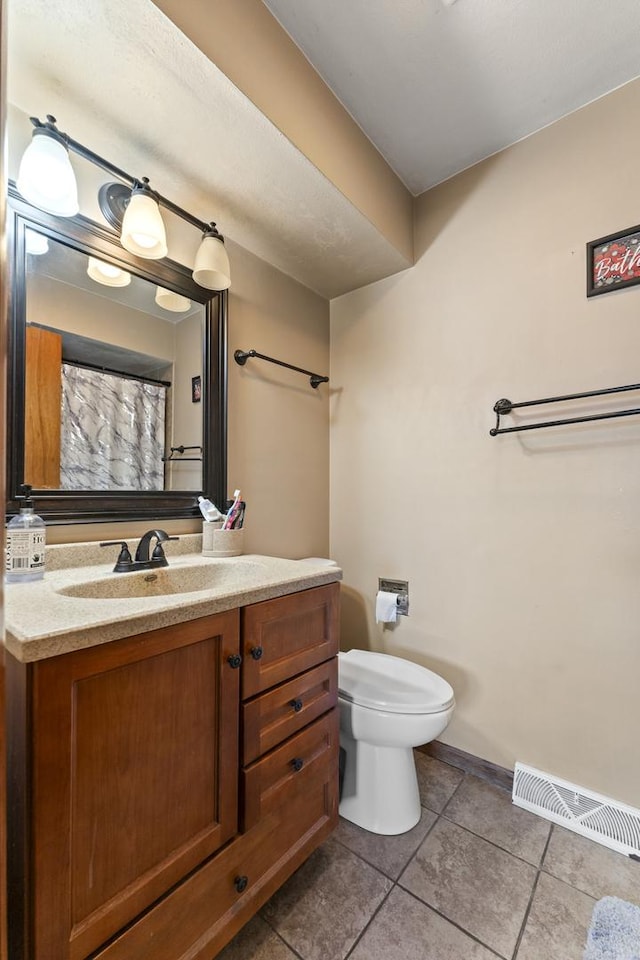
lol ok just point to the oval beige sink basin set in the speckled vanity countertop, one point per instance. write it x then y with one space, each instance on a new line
165 581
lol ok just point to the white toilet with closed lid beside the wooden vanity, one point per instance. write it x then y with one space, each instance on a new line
387 706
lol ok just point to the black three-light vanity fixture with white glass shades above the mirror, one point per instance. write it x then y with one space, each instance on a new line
46 180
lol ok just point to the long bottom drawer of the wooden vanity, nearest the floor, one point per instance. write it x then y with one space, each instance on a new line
209 906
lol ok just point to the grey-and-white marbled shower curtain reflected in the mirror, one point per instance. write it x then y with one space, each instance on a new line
113 431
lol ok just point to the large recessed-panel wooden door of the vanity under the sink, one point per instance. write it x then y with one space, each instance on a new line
135 776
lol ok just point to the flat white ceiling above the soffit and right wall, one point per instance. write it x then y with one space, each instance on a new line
439 85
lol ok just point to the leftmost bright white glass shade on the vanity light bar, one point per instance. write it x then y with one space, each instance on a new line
46 178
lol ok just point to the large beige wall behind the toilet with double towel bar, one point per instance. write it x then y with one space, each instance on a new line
522 552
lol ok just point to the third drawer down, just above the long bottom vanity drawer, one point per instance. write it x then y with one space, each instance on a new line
267 785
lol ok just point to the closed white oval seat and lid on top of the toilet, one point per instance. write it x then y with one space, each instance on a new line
382 682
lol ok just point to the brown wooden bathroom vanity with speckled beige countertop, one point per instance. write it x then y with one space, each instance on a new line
174 757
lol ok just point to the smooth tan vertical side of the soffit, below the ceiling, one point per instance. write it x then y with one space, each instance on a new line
250 47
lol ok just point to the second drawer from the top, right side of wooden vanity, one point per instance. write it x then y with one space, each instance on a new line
273 716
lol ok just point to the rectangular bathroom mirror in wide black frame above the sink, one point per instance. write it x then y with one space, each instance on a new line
117 376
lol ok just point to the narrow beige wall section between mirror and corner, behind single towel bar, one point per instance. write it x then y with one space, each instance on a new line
278 424
